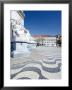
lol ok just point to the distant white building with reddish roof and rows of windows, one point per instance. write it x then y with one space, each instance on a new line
45 40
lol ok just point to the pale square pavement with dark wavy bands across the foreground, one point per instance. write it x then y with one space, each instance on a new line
41 63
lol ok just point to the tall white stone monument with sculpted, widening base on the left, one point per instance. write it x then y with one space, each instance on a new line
21 39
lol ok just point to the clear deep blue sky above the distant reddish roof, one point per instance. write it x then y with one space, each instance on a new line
43 22
